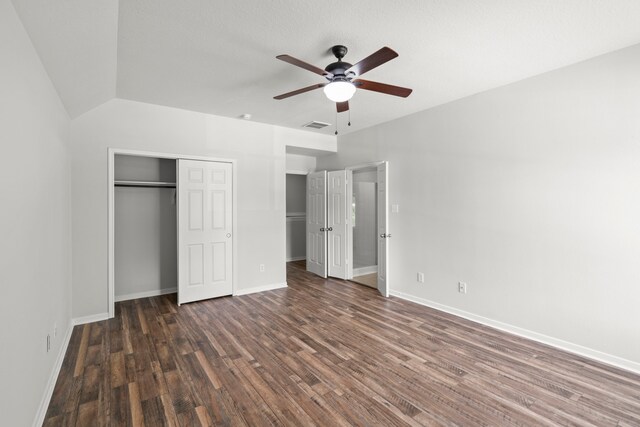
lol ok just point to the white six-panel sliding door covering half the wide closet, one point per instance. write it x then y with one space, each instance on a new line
205 251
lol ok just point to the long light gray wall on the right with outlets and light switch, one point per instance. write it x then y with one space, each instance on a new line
529 193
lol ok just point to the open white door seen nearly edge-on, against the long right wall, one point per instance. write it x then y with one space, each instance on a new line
383 227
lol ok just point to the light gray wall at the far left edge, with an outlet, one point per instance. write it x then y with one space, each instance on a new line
35 247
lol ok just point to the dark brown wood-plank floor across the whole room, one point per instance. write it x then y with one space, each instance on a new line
324 352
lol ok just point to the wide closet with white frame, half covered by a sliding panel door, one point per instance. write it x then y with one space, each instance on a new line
172 222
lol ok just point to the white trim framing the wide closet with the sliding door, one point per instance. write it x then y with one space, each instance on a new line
111 153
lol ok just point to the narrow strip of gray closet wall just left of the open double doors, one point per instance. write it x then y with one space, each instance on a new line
296 247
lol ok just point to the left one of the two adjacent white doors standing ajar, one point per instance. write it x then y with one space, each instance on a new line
317 223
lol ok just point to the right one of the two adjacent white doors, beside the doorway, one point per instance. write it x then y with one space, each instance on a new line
337 224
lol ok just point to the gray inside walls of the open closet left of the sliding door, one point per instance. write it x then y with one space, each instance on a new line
145 228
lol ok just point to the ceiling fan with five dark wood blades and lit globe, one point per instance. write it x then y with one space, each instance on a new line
343 78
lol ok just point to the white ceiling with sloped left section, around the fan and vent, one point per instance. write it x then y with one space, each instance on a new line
218 56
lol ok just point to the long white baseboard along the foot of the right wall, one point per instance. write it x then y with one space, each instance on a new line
544 339
